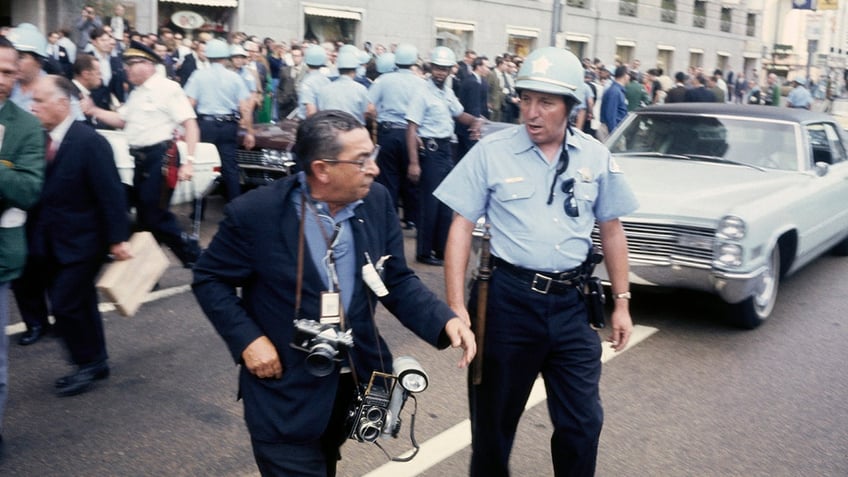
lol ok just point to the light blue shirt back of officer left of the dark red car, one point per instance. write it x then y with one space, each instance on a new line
217 90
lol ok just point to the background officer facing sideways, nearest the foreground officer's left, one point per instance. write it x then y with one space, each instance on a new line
430 120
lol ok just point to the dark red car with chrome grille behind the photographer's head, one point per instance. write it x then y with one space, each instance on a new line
271 157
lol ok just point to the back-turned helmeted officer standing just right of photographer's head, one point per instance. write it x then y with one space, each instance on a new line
391 94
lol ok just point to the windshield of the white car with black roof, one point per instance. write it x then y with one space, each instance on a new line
760 144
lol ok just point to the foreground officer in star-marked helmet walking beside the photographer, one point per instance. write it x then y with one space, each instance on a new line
542 186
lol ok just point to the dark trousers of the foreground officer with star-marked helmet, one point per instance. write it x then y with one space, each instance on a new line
528 332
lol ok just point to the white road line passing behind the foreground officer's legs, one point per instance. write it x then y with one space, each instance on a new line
458 437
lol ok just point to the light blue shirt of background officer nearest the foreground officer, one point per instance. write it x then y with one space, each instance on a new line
433 111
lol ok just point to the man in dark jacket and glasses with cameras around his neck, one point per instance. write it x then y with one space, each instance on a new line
297 249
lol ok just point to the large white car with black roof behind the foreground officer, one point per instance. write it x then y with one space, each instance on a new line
732 198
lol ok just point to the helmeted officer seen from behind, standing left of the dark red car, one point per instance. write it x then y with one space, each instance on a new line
222 101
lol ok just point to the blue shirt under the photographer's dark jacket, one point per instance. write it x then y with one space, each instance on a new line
344 248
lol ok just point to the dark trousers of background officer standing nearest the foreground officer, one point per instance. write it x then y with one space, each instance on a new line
434 216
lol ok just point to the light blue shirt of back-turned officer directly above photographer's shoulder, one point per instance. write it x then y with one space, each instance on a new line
392 93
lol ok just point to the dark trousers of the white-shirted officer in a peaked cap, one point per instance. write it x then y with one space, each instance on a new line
147 198
